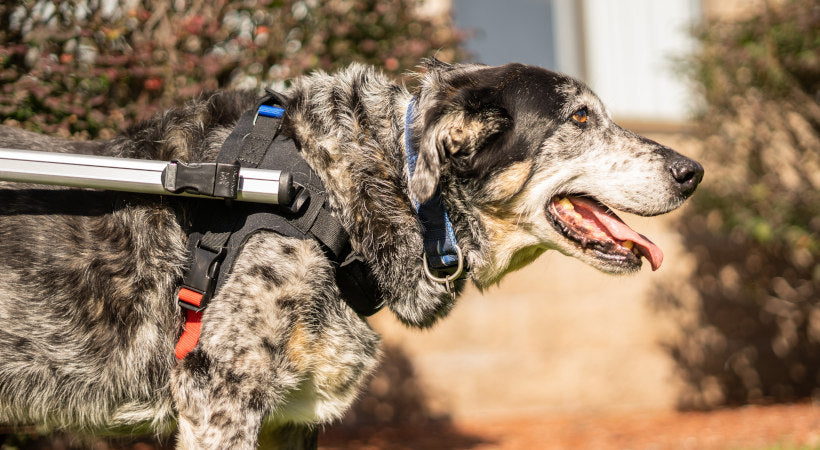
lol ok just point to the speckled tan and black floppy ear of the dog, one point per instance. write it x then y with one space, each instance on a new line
455 136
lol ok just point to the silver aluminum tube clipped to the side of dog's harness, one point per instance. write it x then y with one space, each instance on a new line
119 174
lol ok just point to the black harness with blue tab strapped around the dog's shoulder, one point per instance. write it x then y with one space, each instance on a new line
220 229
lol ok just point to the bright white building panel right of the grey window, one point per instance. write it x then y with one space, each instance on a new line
630 52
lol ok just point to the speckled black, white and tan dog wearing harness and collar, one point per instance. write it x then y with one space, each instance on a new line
526 160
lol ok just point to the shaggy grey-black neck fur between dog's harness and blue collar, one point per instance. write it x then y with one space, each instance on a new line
351 128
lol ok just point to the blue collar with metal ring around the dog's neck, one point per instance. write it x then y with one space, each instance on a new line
440 246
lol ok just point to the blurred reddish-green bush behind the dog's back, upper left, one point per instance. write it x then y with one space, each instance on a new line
86 68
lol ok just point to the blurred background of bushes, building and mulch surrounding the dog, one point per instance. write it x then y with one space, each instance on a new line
719 348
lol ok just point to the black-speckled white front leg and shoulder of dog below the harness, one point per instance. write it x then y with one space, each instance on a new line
276 340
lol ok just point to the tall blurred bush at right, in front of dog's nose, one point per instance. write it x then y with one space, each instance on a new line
752 332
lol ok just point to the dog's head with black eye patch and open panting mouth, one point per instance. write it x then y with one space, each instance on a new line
536 157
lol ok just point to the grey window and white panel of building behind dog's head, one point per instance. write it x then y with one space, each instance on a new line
623 49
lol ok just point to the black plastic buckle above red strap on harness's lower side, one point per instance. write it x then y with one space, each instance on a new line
199 281
